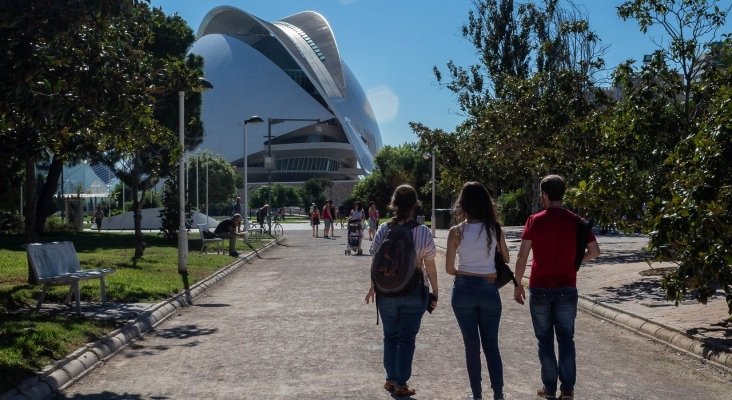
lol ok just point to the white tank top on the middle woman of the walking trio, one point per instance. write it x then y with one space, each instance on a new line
473 254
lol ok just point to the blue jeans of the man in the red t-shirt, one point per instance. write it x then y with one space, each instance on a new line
554 311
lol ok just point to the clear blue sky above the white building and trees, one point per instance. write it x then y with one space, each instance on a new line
392 46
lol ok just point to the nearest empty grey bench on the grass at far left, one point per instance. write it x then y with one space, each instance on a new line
57 264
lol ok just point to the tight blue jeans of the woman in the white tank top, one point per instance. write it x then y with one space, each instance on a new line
477 307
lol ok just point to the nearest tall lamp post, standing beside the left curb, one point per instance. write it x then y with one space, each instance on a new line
182 232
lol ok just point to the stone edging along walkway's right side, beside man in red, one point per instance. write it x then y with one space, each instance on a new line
658 332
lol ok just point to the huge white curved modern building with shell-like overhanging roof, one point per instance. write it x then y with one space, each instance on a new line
285 72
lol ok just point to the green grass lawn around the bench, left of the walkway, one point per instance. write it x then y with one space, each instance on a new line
30 340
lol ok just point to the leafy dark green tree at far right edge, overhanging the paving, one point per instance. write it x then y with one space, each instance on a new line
694 227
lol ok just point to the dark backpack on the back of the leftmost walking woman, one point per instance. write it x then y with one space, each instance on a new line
394 269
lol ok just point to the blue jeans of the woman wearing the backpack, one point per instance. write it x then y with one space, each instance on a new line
401 317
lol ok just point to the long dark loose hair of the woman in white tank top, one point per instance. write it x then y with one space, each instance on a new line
476 203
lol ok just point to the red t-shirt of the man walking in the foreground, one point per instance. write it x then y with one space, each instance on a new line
553 242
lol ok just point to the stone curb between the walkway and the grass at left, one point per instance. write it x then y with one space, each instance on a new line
63 373
